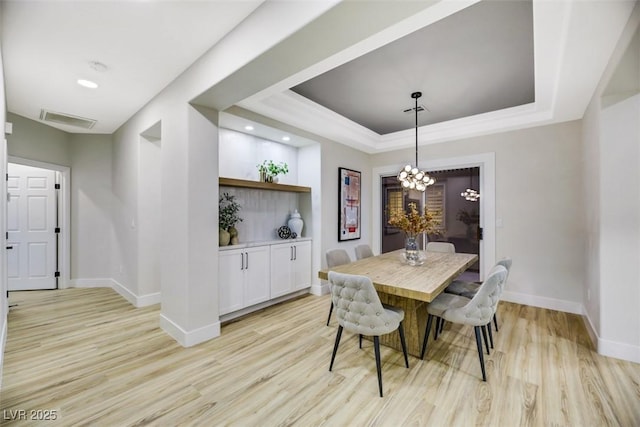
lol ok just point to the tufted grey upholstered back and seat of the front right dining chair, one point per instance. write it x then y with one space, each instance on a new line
481 308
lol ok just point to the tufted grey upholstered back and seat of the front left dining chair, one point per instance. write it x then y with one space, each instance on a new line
358 306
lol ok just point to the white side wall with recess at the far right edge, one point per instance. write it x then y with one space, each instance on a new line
611 129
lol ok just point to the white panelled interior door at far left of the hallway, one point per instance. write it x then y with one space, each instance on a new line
31 223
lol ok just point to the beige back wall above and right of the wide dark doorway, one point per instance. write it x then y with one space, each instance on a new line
538 189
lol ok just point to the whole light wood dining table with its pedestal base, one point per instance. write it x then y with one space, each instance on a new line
408 287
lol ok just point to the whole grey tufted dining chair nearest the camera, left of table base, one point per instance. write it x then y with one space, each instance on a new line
360 311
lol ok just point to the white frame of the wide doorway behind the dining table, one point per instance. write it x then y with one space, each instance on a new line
487 202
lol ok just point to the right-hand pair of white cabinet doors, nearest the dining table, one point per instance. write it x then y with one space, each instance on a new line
290 267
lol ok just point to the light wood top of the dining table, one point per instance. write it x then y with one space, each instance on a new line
392 275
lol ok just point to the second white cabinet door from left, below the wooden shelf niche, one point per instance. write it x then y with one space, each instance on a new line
256 275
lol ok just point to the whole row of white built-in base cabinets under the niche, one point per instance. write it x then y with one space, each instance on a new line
255 274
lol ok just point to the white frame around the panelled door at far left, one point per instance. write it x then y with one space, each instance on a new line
64 210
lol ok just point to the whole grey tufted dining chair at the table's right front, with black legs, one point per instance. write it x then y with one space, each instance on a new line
476 312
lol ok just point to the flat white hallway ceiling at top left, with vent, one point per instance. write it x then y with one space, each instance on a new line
48 45
